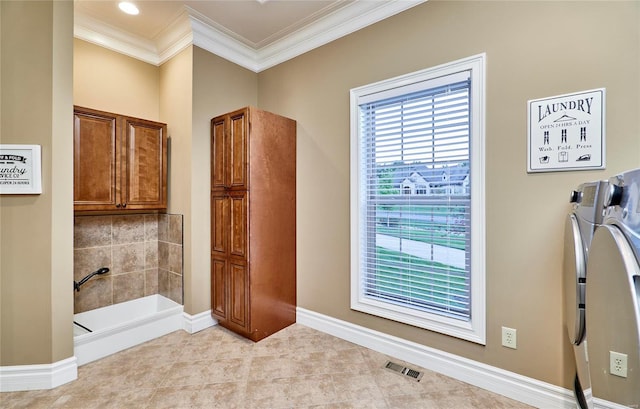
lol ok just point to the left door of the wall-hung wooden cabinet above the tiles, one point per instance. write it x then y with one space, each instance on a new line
96 163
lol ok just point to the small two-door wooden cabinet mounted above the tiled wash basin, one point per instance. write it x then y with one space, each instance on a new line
120 162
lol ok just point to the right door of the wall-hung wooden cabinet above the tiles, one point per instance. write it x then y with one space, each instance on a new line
145 171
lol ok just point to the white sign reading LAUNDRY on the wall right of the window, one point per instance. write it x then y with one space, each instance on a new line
567 132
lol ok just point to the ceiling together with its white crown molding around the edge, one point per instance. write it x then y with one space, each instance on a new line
256 34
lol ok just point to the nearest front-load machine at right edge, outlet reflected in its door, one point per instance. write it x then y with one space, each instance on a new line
612 291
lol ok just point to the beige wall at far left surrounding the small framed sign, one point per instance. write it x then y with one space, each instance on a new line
35 292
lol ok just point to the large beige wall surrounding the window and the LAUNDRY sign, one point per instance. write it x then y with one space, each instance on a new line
534 50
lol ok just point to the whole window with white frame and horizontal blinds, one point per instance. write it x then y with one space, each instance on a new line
417 199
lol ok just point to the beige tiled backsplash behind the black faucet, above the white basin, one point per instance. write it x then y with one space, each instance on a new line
143 252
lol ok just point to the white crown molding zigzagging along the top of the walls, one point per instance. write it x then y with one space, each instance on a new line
190 27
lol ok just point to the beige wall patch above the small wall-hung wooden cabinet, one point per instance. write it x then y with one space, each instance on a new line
113 82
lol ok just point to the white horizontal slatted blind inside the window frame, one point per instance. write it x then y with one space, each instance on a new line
416 158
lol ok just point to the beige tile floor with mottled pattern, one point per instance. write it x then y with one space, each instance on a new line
296 368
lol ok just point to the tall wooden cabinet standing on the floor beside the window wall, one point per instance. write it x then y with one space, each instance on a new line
253 222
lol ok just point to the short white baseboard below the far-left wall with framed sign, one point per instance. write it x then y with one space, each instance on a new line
34 377
